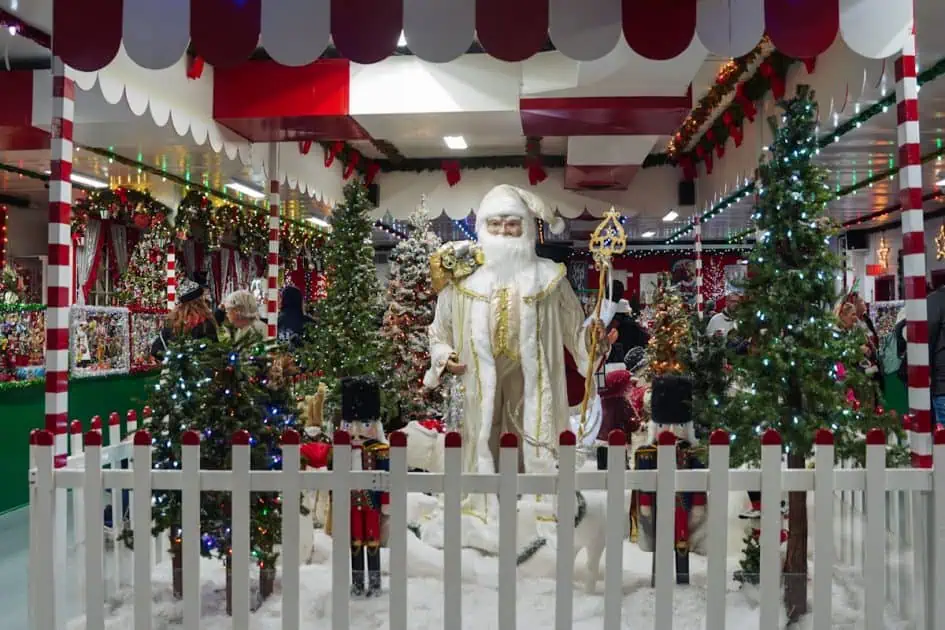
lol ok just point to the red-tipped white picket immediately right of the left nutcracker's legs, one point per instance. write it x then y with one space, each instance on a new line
397 533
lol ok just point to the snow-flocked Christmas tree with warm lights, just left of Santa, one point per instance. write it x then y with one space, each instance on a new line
410 310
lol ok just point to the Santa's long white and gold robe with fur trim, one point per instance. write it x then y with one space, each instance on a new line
472 320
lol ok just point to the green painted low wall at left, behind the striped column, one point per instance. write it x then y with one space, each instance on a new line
22 410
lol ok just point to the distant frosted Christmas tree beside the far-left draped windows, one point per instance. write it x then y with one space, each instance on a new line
144 283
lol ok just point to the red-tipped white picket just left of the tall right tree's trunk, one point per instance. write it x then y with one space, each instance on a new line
770 537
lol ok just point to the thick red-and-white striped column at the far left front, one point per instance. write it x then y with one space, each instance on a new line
59 280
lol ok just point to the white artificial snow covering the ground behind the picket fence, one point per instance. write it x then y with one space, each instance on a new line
535 597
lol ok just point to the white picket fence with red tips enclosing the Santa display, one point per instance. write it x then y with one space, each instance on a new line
92 470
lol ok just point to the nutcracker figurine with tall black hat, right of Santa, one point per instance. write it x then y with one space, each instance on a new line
671 408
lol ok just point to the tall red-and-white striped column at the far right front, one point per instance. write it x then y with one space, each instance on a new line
913 249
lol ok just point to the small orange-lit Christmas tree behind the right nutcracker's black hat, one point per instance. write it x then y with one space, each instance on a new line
669 342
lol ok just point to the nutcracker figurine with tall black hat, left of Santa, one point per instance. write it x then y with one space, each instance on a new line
360 413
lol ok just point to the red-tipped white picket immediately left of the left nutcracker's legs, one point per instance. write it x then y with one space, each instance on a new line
340 530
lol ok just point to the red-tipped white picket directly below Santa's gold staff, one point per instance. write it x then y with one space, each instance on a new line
567 512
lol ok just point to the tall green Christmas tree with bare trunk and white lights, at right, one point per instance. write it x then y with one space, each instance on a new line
801 373
